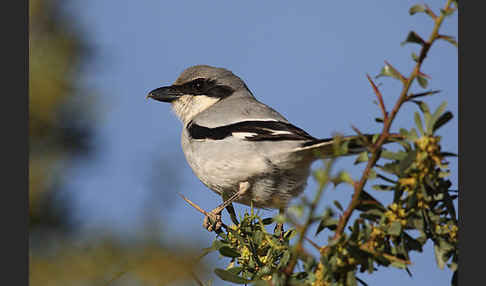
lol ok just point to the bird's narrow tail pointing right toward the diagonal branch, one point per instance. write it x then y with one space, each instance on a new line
337 146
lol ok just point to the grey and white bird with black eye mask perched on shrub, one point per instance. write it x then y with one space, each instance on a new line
238 146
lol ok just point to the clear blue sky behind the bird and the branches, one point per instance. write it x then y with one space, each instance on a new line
308 60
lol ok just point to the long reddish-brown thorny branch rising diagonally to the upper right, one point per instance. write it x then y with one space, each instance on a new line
387 121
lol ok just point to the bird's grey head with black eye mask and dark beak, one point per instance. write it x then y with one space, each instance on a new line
198 88
